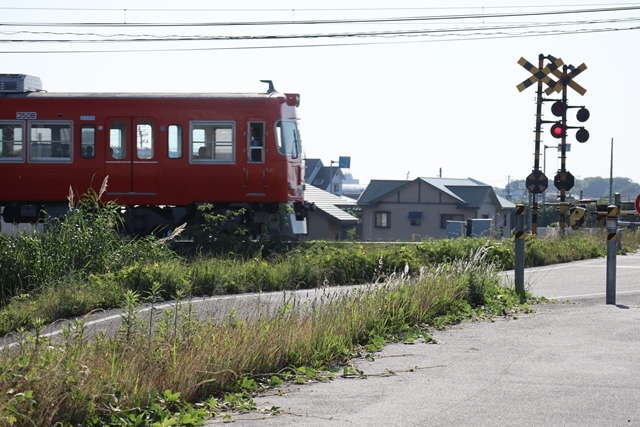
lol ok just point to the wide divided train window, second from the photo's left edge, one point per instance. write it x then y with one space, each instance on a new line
50 141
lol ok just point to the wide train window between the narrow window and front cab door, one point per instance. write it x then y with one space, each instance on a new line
212 142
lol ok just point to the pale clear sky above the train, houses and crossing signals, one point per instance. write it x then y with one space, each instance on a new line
441 101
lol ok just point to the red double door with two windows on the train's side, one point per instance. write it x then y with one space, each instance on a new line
131 157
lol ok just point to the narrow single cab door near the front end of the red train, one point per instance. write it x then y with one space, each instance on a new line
256 172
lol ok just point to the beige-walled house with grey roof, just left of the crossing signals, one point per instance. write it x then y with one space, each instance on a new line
413 210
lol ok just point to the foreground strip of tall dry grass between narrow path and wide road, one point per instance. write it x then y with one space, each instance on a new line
119 380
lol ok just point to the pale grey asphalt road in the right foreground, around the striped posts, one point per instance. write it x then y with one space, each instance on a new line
571 363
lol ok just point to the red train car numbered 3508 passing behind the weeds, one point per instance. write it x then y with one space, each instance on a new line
164 154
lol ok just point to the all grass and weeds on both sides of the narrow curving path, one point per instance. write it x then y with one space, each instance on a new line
170 368
